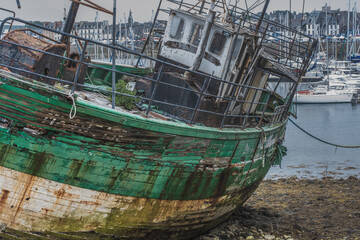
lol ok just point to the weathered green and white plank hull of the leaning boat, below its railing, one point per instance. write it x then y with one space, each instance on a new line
190 177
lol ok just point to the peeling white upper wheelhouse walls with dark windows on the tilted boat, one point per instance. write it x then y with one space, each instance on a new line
182 40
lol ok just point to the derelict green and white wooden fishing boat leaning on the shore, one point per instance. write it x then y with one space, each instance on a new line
167 155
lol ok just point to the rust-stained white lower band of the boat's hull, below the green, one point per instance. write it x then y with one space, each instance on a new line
36 204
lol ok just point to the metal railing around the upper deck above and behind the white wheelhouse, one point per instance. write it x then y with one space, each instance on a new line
288 46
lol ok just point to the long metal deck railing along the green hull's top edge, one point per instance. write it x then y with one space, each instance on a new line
228 119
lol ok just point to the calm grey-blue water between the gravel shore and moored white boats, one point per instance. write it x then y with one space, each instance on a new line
336 123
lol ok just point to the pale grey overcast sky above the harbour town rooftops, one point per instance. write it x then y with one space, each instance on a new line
53 10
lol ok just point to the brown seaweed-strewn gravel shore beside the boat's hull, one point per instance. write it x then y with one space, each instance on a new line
296 209
